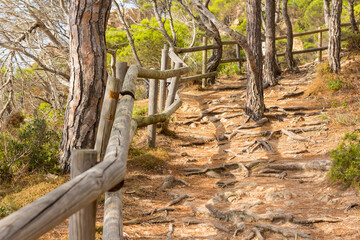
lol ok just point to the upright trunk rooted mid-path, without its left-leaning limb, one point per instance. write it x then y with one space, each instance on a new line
255 97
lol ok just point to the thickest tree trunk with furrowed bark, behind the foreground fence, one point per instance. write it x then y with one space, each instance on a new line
88 20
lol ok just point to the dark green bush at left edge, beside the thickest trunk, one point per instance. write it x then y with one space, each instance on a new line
32 147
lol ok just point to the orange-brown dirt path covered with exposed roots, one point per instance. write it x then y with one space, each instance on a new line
237 185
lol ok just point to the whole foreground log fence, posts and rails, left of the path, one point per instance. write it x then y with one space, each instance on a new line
77 197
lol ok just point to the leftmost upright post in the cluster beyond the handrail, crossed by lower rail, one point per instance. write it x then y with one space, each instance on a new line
153 95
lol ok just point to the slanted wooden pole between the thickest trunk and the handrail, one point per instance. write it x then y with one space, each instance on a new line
107 115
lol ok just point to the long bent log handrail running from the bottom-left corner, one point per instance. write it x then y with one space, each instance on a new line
45 213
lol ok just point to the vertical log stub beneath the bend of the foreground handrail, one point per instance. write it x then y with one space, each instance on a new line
113 225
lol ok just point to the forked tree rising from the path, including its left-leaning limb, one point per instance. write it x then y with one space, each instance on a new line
252 46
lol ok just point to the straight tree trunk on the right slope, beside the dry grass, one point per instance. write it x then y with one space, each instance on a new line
335 36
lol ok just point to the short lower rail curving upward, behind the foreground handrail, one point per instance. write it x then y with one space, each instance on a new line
162 117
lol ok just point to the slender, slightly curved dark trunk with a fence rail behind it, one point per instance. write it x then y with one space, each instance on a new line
289 45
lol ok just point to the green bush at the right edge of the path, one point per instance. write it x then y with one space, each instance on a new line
346 161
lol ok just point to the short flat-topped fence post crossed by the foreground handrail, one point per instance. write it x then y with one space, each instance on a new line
82 223
